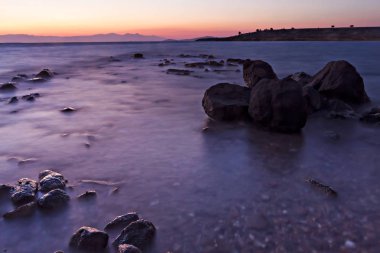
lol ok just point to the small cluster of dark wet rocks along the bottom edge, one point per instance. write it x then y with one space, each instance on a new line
136 234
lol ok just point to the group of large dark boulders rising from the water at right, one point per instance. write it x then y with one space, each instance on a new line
284 104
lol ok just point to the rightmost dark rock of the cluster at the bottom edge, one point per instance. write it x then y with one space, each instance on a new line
139 233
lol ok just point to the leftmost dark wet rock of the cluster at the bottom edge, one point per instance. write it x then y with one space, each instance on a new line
89 239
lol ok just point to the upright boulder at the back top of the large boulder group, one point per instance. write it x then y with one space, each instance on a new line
254 71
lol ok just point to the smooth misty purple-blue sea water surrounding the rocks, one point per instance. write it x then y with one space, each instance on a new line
233 188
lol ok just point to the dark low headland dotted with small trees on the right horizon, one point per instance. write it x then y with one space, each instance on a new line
307 34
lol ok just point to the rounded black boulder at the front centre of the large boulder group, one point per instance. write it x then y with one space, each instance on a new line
278 105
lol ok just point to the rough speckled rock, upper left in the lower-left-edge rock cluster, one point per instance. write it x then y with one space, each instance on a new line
24 191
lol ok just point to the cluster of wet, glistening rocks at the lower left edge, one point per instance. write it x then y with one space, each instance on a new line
27 194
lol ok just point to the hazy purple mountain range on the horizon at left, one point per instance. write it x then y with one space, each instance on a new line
110 37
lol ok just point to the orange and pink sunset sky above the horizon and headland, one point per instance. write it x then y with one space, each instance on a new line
179 19
